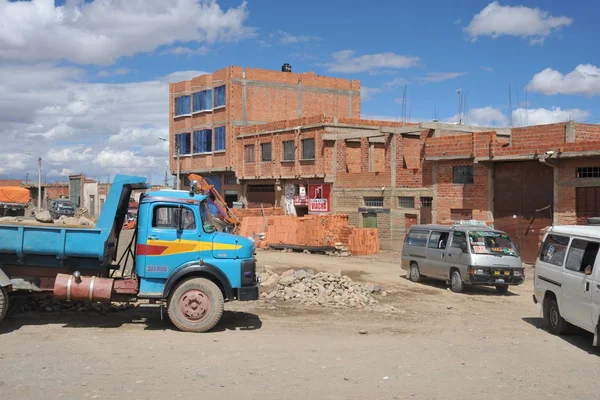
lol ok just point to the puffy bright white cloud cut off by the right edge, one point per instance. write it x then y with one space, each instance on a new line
584 80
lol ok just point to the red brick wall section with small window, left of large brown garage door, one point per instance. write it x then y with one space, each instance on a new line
458 196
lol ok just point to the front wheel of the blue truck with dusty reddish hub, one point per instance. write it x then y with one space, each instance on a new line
196 305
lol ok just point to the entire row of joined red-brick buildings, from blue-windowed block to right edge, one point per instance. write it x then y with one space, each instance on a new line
297 141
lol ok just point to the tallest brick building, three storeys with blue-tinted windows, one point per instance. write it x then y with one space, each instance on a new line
205 110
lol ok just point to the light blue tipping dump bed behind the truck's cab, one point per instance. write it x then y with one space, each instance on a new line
49 245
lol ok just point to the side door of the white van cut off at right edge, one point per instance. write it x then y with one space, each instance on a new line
577 285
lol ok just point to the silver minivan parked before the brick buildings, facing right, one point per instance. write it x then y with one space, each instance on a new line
462 255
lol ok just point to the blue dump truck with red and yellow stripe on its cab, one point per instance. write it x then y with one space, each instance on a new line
179 258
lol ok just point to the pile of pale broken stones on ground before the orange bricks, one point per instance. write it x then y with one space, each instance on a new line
321 289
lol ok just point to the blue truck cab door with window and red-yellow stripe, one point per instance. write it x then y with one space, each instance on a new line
171 239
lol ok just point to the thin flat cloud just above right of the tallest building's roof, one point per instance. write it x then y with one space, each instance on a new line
345 61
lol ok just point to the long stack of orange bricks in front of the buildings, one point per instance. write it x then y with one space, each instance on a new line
315 231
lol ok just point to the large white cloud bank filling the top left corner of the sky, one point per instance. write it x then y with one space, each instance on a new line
101 31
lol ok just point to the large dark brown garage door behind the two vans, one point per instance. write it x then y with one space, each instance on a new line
523 198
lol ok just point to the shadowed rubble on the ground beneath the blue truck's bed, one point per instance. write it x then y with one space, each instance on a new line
49 304
